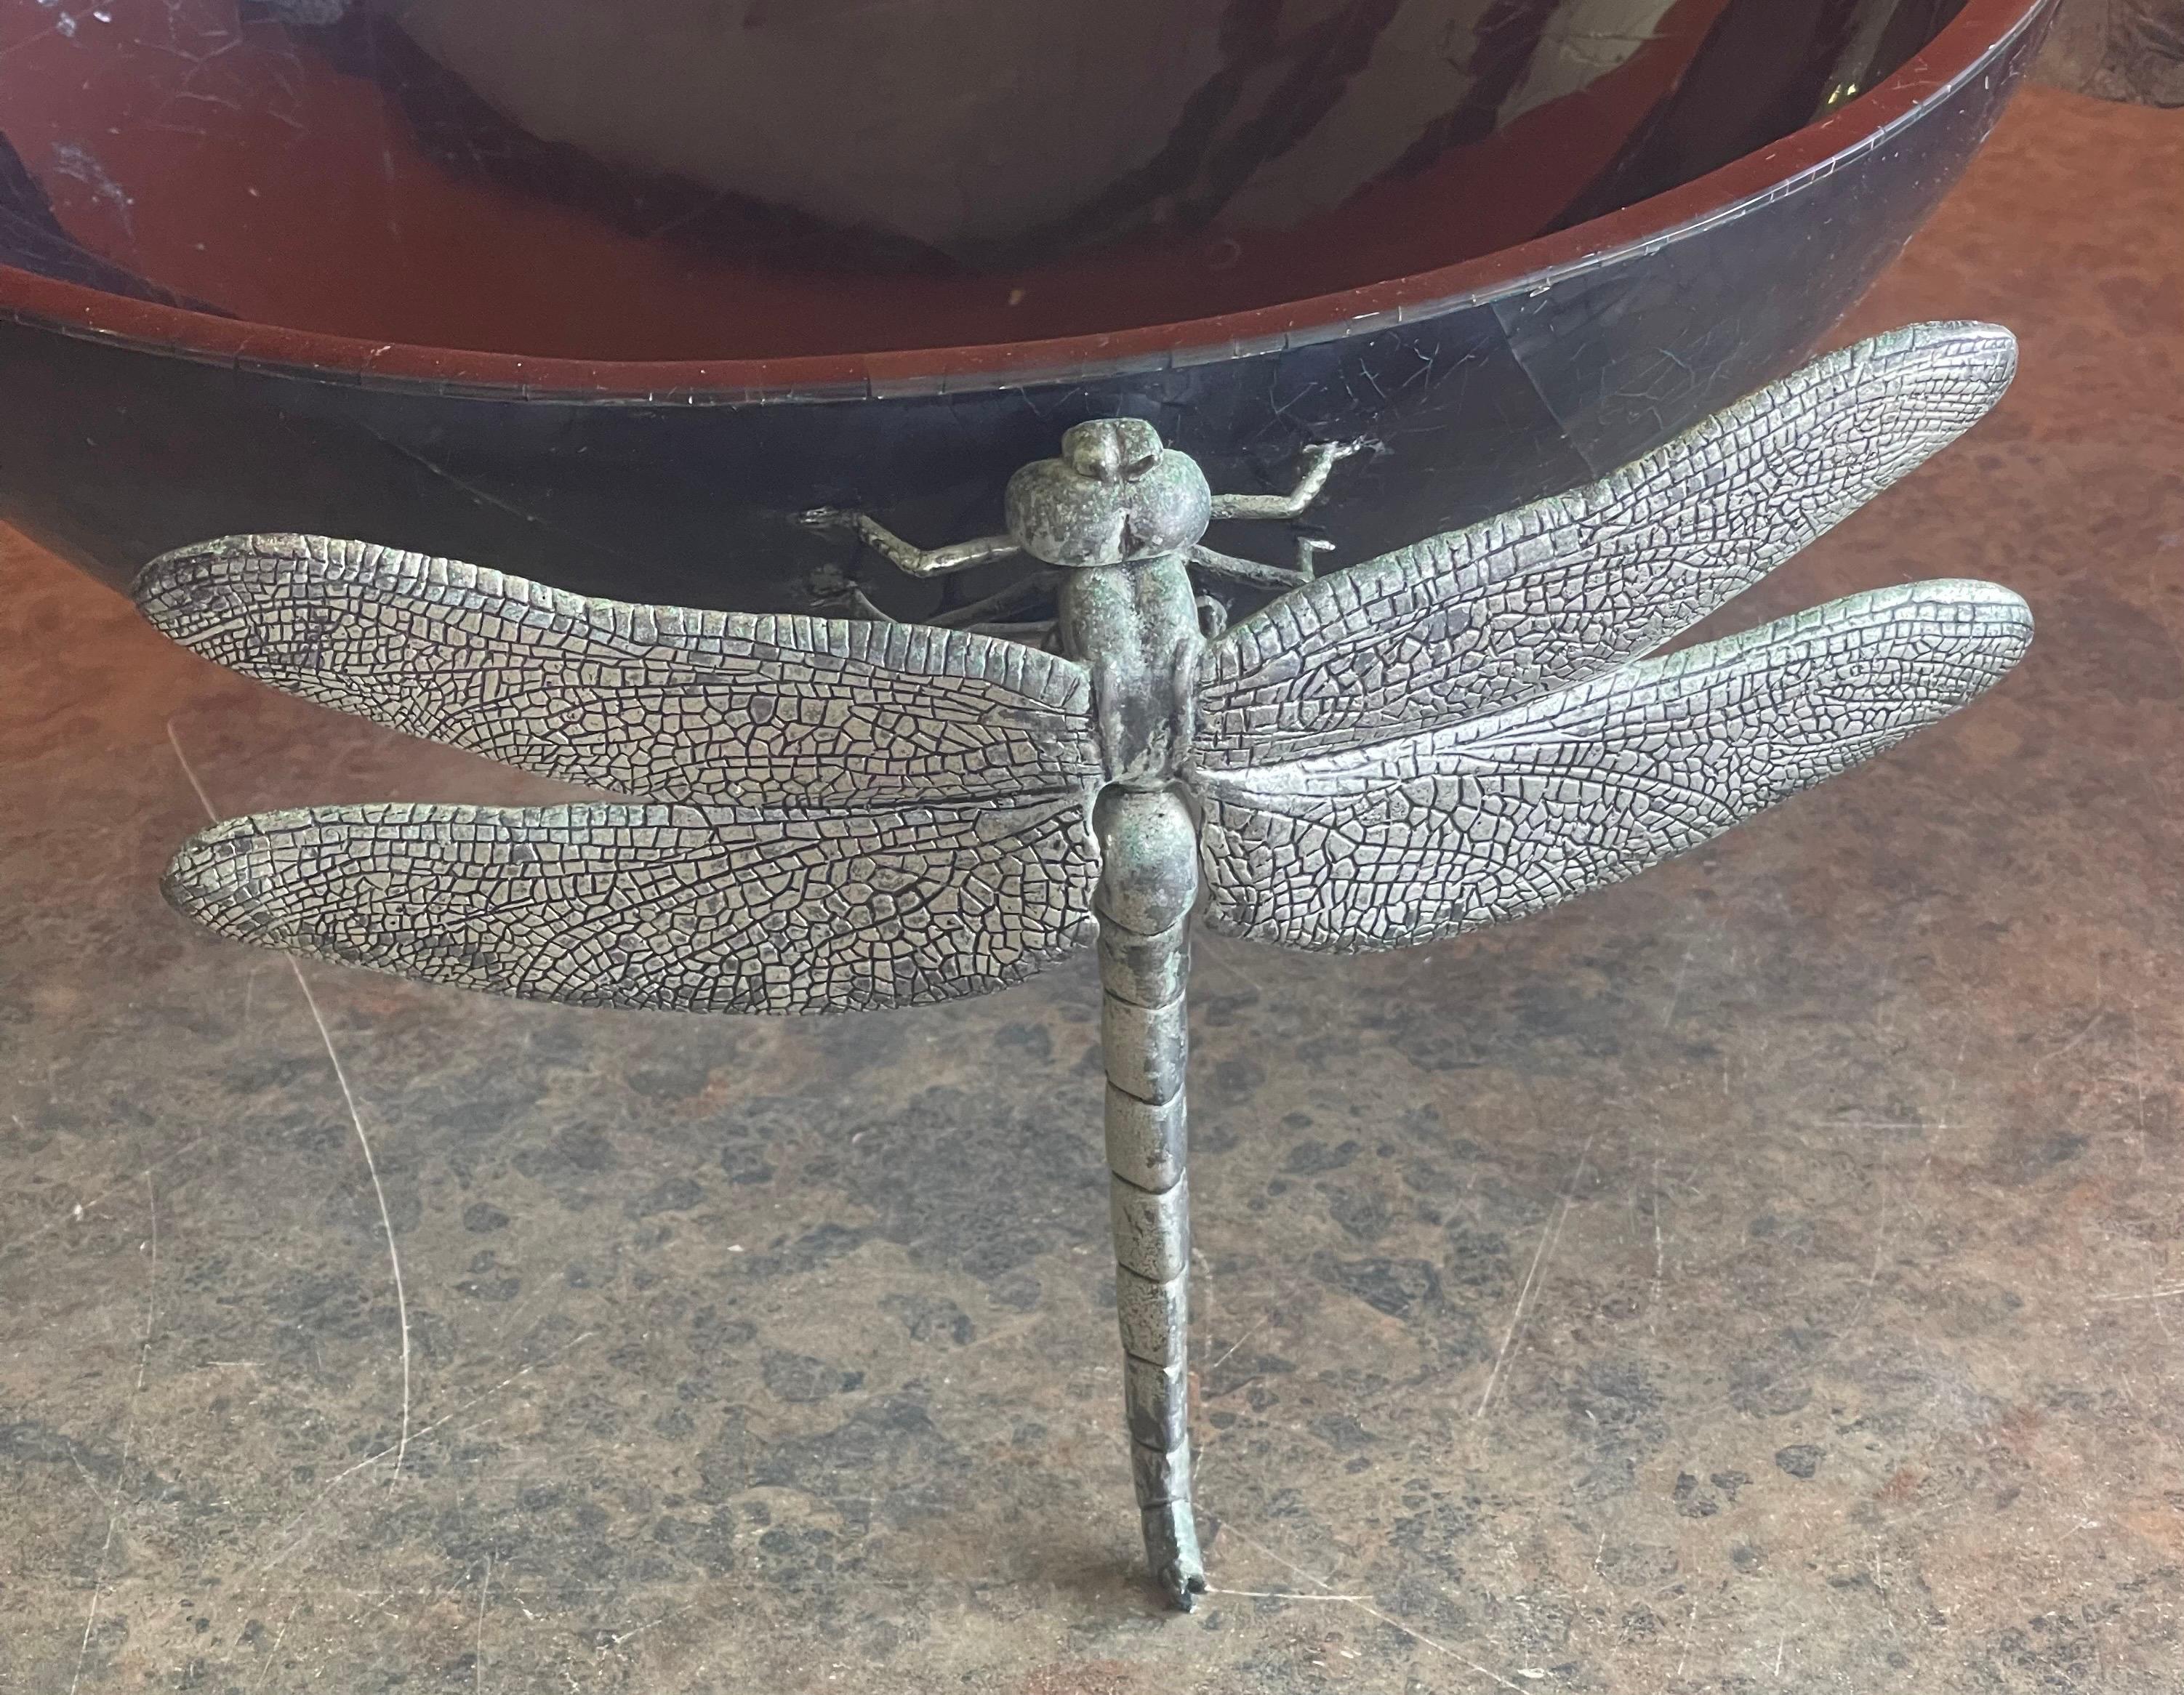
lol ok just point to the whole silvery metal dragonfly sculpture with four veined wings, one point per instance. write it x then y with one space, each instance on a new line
846 814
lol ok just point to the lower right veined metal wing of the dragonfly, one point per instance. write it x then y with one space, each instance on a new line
1491 820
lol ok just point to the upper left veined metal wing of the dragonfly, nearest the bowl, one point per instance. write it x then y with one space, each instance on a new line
654 702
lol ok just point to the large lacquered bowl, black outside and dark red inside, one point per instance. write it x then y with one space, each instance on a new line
510 292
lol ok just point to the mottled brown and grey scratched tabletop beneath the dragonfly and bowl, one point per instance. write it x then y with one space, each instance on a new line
1764 1277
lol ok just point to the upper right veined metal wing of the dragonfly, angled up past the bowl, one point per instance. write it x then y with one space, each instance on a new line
1574 586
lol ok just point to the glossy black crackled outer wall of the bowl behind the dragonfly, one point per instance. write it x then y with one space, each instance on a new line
117 449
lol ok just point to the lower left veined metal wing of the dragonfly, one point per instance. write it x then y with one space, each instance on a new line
661 908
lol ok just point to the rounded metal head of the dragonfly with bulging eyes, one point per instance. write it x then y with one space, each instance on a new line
1113 497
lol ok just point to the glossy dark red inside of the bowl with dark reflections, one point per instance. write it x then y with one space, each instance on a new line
645 180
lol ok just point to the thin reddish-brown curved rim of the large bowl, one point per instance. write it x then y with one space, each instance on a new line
1967 47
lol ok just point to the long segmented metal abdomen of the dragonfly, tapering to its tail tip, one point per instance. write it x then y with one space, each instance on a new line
1150 879
